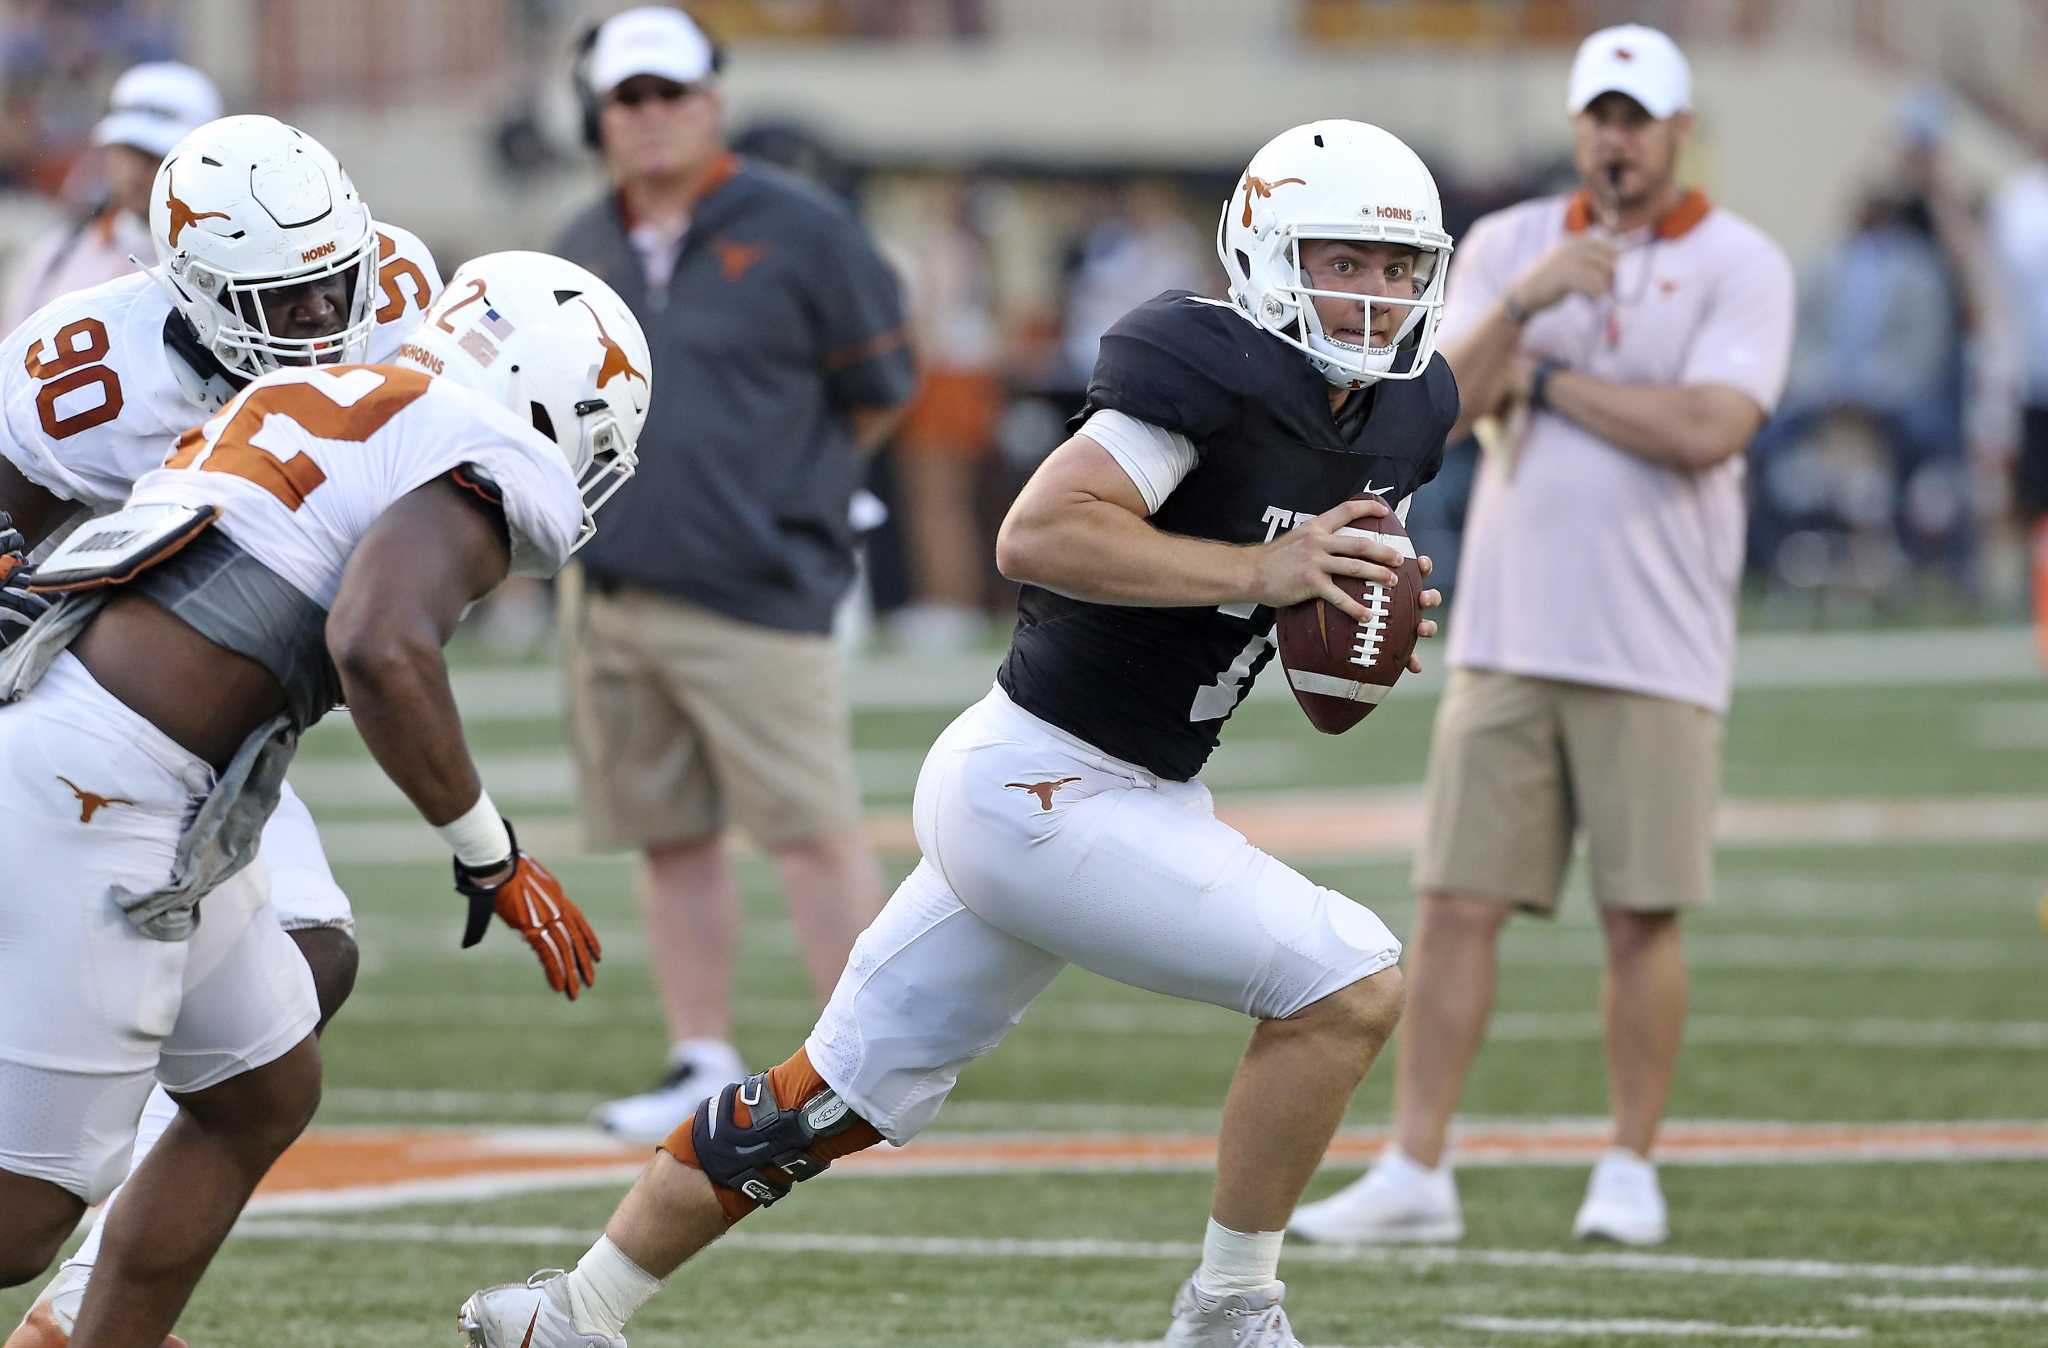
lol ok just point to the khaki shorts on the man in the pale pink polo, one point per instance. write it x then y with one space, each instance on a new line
1521 765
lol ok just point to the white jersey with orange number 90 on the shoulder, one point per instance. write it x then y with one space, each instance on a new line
93 396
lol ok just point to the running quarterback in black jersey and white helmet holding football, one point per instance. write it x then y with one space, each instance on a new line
1207 482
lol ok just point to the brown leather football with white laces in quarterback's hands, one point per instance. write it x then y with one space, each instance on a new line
1338 667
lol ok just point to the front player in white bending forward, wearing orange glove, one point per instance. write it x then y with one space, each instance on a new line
312 544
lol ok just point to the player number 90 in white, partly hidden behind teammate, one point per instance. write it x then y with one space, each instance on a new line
265 257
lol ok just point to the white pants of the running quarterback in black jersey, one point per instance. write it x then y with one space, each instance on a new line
1041 851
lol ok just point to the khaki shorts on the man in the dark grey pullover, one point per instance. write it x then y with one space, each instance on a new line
687 722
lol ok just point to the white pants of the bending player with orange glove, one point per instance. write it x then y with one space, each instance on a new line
91 1011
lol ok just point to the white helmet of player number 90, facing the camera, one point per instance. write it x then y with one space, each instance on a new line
247 206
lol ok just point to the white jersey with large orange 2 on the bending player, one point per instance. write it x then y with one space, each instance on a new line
304 462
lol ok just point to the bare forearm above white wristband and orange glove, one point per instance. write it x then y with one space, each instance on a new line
404 710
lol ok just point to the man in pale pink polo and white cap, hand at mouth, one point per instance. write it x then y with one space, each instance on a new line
1629 339
